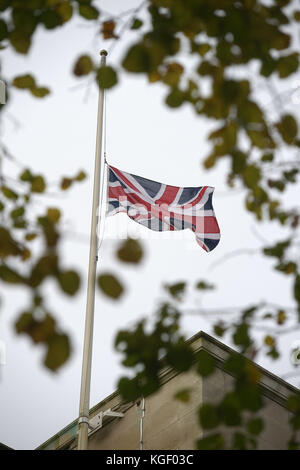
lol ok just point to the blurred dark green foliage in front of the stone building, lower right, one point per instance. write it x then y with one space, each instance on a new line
234 421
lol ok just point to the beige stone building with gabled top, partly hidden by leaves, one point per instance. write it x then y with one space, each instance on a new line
162 422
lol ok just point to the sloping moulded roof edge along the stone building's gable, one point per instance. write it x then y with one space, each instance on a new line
273 387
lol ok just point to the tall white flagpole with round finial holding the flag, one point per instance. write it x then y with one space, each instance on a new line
83 421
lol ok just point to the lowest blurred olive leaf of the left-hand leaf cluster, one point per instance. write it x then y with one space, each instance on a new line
58 352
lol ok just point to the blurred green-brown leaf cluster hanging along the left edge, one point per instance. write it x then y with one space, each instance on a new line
30 256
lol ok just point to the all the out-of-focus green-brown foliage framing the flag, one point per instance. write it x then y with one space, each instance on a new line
220 37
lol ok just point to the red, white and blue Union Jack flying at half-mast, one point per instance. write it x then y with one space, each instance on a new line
163 207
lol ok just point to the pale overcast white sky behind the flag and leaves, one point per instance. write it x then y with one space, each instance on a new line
56 136
